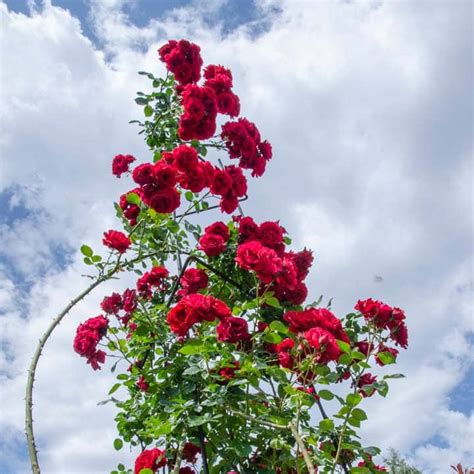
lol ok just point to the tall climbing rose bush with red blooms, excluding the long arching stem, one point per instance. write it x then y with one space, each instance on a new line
222 365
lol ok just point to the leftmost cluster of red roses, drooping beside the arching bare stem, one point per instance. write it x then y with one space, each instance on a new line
88 335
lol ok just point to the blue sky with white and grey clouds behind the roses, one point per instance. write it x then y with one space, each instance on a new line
368 105
